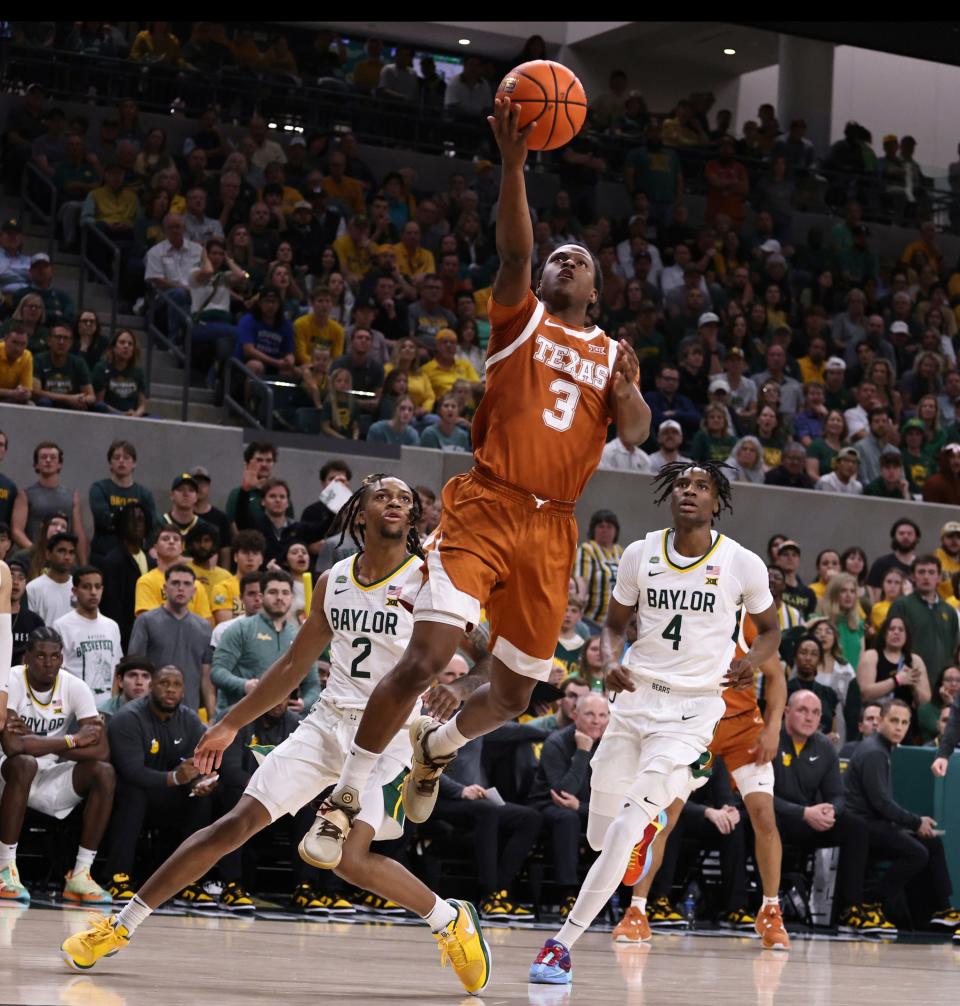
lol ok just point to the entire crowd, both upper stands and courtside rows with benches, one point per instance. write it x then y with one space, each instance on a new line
806 361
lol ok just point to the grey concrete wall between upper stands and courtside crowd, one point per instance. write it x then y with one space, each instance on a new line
818 521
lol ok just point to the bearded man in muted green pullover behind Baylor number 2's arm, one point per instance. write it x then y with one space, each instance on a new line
250 645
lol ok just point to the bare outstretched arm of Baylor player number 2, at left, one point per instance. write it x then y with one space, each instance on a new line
275 687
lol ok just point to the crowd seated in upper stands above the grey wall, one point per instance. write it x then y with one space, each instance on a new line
808 360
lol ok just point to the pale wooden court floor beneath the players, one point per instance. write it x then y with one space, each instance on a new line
183 961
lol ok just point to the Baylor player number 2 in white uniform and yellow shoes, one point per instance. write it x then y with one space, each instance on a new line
357 610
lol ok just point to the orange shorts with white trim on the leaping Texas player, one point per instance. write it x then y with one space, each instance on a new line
501 548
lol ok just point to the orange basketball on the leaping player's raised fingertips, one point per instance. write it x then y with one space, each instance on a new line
550 95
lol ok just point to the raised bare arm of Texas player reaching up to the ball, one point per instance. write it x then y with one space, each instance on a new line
515 231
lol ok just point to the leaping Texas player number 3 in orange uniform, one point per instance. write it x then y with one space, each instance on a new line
508 538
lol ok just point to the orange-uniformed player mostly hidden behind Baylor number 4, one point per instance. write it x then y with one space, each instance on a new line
748 743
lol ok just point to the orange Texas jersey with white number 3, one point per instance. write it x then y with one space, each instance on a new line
543 421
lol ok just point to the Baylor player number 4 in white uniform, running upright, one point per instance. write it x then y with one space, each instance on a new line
688 583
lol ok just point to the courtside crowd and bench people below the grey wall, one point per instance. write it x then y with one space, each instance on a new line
175 610
